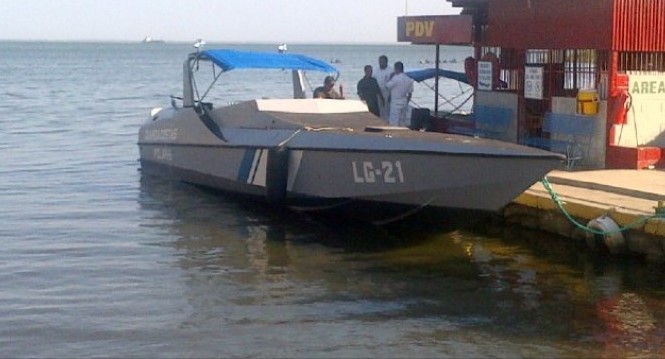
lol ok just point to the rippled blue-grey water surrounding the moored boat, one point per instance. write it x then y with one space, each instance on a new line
98 261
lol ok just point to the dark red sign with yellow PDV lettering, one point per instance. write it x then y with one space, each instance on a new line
444 30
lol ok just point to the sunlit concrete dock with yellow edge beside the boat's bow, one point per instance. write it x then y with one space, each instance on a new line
632 199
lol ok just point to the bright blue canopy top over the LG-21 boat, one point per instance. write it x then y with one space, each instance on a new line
233 59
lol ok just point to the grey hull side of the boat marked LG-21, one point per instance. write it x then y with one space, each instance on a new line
321 180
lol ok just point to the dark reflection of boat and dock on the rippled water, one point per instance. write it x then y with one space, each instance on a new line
307 287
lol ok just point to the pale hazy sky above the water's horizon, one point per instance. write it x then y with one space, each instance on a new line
230 21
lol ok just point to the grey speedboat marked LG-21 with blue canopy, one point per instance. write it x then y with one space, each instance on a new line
323 156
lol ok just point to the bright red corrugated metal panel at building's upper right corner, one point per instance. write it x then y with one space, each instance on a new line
639 25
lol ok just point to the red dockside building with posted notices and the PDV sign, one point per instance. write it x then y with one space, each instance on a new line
585 78
